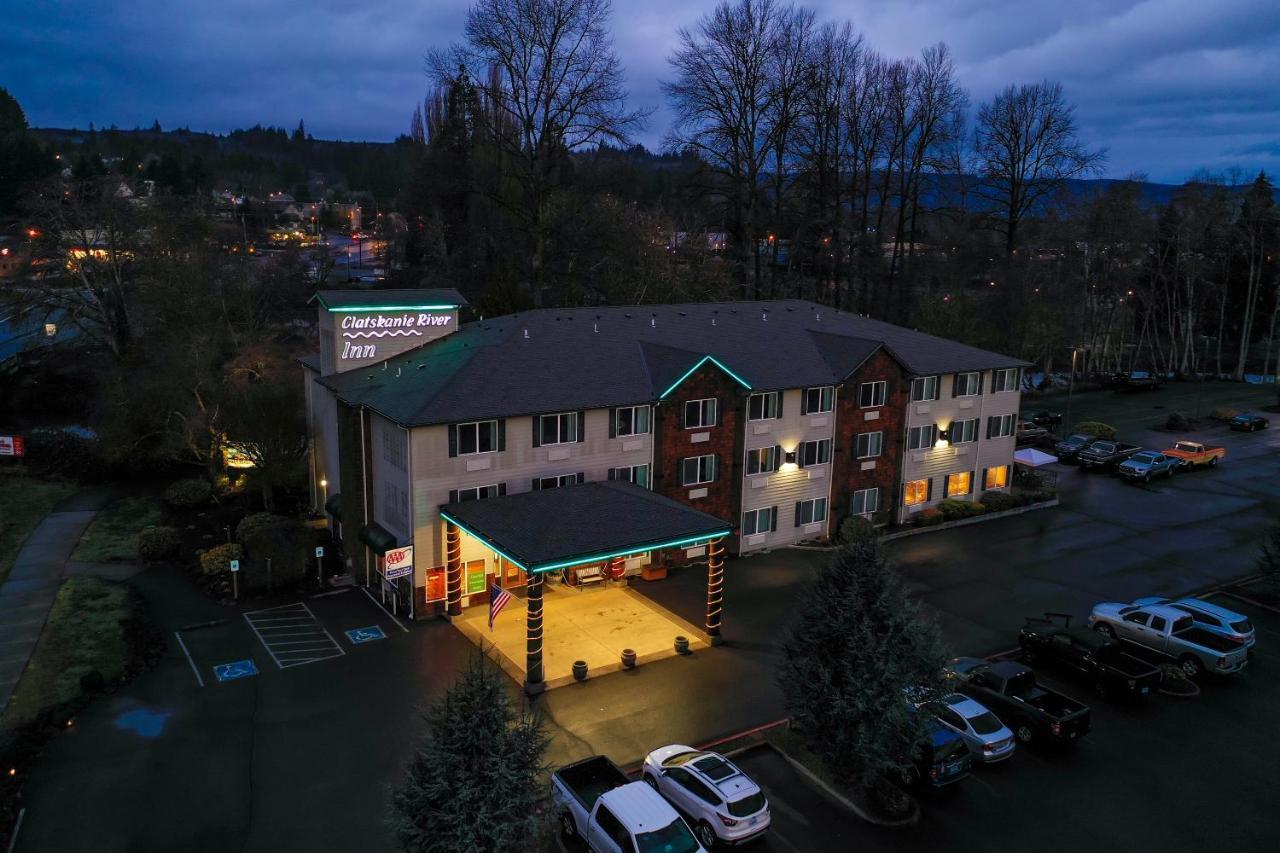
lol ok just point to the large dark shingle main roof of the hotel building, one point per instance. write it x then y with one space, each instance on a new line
593 358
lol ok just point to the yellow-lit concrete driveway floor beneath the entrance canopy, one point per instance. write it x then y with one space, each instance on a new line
591 624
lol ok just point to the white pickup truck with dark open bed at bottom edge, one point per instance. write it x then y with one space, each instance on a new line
612 815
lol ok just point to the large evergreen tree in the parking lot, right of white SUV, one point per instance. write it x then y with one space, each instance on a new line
849 663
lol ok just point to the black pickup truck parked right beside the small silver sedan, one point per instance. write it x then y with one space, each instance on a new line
1011 691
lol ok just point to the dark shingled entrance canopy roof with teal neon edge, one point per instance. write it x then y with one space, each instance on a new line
573 526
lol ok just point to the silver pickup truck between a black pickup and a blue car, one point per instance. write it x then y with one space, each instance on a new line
1169 633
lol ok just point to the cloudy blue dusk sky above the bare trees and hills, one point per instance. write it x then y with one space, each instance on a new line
1168 86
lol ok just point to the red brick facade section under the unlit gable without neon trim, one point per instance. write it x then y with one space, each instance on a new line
848 476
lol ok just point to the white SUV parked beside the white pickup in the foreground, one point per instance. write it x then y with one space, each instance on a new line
720 801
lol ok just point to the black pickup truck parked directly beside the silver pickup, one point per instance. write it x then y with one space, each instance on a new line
1089 655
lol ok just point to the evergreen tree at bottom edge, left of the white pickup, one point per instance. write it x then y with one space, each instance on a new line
473 786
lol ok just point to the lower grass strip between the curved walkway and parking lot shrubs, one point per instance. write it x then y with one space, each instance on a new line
86 631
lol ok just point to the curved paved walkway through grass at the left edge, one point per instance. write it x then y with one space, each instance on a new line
28 595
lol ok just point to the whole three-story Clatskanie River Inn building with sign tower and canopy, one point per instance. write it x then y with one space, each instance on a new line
454 458
